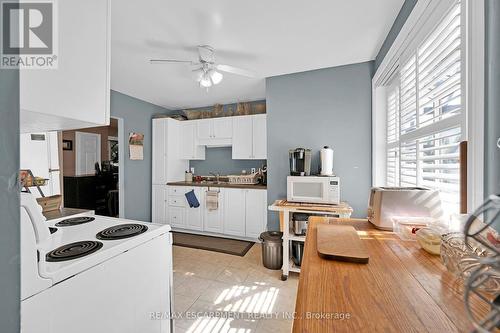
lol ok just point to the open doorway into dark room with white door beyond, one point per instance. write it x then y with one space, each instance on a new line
92 168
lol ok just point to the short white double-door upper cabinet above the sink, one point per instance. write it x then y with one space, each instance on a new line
216 132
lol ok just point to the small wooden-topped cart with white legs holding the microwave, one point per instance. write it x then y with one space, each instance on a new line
286 209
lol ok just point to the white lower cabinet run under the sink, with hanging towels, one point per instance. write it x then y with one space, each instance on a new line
240 212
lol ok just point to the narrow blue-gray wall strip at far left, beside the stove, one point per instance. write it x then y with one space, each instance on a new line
9 201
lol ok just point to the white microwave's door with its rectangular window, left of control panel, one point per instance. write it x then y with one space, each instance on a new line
307 189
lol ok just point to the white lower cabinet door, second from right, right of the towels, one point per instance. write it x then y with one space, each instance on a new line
234 212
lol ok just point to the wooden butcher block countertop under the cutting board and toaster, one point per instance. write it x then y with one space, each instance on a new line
401 289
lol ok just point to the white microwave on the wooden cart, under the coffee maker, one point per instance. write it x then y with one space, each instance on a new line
313 189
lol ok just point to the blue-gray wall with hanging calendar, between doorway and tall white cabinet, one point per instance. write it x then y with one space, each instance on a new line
137 115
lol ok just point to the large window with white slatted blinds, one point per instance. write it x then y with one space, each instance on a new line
424 113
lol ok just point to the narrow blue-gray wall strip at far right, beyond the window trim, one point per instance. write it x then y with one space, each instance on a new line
492 84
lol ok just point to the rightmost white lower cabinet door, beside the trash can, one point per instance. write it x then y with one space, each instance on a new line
256 213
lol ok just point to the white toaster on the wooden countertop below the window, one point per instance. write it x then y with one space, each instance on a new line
388 202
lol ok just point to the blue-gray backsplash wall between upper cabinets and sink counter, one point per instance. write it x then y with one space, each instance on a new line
220 160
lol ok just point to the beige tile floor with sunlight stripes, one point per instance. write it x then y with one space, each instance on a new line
217 292
